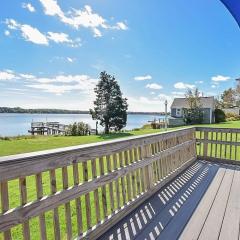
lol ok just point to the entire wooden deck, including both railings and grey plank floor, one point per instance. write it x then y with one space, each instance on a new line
179 184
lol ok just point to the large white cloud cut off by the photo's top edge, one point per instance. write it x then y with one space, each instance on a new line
78 18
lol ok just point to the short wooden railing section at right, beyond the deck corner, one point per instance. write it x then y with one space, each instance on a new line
218 144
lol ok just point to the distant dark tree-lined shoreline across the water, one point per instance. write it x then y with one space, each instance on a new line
62 111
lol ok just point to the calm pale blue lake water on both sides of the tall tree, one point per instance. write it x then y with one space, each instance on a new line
19 124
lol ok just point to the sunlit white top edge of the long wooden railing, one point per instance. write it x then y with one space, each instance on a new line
103 145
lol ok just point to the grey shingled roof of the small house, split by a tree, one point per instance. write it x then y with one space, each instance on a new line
206 102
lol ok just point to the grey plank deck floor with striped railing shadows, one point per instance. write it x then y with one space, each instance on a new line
201 203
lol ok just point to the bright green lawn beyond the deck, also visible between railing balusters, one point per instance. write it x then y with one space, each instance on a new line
30 144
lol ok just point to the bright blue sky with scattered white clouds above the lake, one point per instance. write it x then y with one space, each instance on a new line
53 51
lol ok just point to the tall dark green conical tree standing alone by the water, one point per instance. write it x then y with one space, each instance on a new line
110 108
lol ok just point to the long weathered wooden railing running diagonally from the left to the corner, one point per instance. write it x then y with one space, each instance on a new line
82 191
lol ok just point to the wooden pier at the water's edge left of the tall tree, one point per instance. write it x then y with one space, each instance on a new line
48 128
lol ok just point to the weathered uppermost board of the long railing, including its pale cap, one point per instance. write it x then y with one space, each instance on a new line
32 163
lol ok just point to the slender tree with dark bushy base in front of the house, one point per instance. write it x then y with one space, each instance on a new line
193 114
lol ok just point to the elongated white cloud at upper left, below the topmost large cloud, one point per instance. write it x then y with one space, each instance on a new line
33 35
